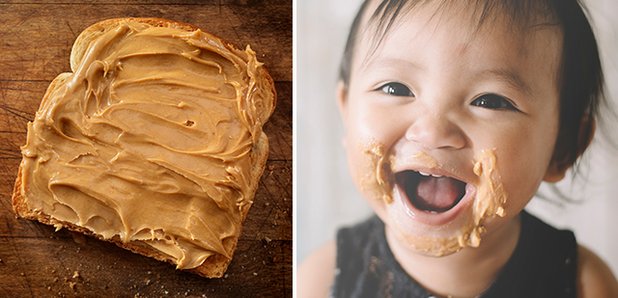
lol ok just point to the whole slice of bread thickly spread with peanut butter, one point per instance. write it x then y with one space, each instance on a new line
154 142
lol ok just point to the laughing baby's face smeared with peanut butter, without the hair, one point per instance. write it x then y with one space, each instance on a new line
435 98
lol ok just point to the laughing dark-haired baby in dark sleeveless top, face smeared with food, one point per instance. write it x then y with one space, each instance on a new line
455 112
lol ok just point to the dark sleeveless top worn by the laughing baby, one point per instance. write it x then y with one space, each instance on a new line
542 265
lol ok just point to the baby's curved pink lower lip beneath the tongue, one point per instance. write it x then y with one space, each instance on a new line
435 218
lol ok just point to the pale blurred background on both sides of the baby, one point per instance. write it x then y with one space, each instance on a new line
326 198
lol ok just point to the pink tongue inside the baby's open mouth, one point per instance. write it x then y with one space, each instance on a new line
439 194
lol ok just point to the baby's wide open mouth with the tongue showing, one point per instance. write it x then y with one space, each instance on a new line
431 193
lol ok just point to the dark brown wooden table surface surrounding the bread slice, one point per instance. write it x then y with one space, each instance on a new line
35 42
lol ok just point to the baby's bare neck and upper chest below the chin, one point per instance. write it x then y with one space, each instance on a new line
467 273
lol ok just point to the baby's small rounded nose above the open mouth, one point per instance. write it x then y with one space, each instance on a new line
436 131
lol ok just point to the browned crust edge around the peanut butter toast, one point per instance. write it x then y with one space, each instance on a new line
213 266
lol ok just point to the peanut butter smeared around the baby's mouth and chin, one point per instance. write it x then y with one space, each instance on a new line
464 231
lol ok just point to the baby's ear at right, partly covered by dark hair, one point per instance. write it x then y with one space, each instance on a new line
558 167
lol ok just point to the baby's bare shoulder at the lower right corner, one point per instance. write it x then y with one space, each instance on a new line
594 277
